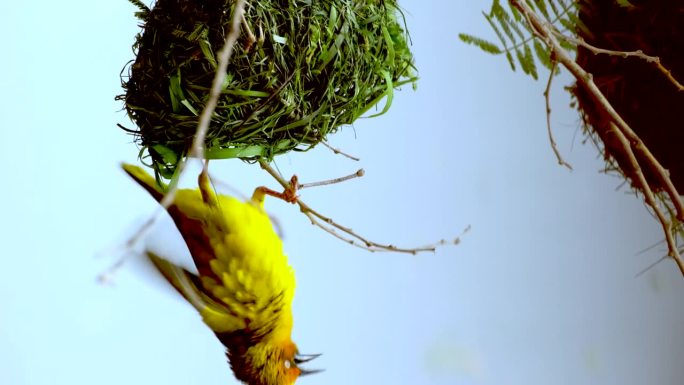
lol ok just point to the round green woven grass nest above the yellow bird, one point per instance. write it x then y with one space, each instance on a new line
314 66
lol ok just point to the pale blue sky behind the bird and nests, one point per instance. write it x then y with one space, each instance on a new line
542 290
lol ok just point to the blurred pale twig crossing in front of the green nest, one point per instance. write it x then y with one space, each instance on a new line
197 148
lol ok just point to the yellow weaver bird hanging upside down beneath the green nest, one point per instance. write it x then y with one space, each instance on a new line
245 285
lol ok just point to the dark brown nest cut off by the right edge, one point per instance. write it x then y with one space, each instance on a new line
642 95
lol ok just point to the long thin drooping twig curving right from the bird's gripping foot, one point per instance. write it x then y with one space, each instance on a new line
346 234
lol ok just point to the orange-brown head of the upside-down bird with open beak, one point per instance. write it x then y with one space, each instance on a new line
271 364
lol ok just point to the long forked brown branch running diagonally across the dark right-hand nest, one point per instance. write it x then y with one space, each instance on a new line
632 145
